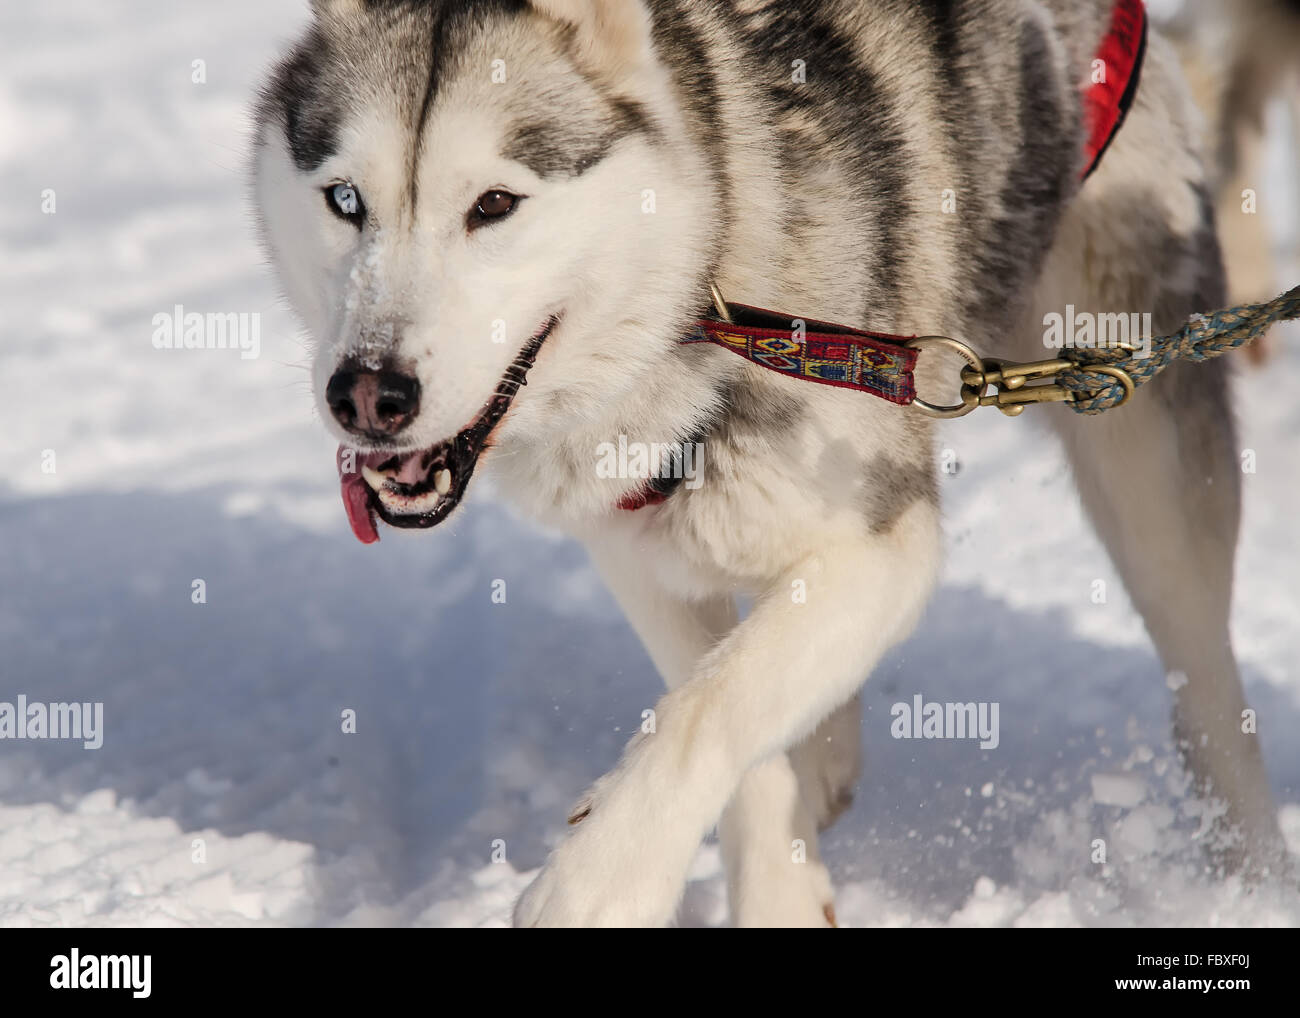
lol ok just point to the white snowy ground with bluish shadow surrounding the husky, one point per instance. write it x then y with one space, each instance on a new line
476 722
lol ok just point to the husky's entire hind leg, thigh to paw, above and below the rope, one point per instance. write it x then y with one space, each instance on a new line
1160 478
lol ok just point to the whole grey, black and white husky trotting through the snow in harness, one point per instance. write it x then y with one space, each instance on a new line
457 194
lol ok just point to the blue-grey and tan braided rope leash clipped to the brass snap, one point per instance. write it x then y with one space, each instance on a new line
1204 337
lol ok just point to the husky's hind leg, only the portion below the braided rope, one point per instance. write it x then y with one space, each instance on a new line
1160 480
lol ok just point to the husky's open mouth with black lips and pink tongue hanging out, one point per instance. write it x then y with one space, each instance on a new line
421 488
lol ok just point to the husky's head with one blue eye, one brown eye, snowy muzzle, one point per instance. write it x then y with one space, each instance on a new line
461 194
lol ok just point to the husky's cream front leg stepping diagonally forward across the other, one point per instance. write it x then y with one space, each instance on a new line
766 685
